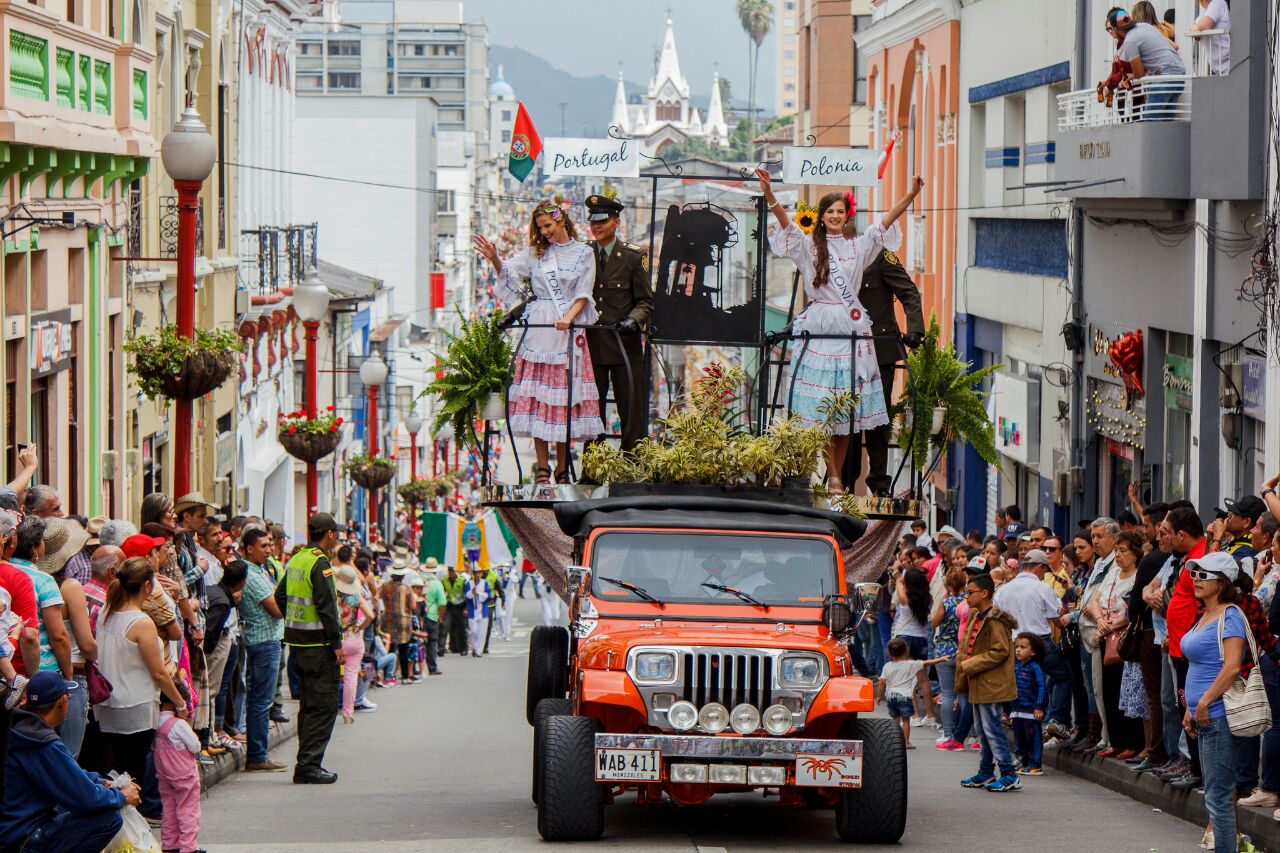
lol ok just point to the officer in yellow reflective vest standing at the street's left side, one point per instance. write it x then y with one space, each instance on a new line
313 632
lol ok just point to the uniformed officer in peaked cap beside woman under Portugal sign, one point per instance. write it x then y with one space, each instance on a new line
624 299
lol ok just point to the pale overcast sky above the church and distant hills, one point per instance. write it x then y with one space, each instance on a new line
595 37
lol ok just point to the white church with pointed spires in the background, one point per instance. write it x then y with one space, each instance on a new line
665 115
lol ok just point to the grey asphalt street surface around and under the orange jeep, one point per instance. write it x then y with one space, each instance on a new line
445 765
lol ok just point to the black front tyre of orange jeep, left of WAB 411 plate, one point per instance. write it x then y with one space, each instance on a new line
572 804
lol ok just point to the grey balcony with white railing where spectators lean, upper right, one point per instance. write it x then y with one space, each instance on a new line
1200 135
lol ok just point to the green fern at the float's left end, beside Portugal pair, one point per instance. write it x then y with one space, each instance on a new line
477 368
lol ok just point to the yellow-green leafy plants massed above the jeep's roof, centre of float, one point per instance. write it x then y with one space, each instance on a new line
702 445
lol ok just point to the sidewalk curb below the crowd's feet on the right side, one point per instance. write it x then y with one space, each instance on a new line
1146 788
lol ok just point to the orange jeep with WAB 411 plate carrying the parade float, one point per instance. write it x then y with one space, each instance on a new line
707 655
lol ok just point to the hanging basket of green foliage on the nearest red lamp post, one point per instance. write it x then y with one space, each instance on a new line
173 368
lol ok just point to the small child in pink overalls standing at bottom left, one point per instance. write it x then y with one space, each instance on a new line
176 750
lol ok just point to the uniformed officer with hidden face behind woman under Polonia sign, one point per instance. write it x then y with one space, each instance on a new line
884 281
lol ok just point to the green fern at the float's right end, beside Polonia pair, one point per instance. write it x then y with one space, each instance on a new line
944 402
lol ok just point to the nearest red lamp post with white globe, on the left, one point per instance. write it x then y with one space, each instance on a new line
189 156
